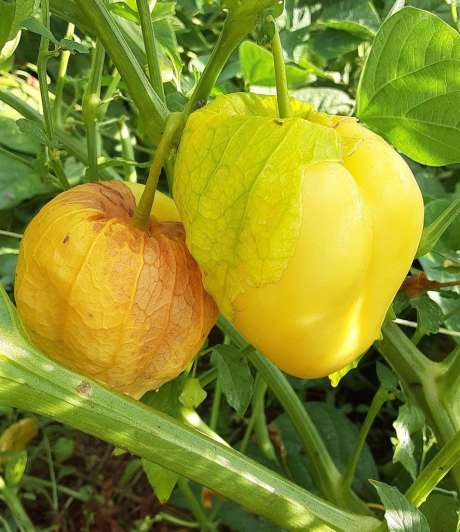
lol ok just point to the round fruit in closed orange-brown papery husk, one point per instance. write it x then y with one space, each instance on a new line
123 306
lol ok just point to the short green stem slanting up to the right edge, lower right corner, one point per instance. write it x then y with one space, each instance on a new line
435 471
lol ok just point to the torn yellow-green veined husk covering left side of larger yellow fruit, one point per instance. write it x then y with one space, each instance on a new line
233 145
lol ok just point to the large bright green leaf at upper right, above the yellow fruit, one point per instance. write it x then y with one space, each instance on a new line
408 93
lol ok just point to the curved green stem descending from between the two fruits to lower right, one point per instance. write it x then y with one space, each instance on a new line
323 470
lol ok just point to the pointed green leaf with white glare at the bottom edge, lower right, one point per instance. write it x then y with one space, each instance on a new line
400 514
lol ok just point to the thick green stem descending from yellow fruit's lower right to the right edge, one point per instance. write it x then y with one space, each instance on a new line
425 383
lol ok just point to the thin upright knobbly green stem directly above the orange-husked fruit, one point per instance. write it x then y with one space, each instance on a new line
90 109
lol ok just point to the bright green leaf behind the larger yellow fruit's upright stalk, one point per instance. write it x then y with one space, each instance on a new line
257 67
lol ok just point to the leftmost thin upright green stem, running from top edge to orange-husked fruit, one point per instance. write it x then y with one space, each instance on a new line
42 63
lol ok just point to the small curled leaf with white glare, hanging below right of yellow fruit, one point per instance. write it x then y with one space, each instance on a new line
410 420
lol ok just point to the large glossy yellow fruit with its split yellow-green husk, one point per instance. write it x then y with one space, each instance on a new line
304 227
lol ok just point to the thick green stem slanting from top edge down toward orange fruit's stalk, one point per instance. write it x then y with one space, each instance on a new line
146 99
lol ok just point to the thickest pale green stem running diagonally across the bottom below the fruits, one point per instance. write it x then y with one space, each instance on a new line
30 381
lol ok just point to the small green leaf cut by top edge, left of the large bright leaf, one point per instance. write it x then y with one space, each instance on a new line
357 17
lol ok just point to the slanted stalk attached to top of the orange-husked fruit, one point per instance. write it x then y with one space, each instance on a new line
173 126
